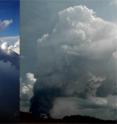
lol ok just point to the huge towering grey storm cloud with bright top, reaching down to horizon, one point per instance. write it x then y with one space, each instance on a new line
79 57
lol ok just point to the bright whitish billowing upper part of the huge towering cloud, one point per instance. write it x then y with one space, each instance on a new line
84 34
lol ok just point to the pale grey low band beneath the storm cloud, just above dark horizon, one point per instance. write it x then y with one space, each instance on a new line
96 107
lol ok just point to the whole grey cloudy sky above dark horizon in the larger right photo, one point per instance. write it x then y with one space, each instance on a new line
69 49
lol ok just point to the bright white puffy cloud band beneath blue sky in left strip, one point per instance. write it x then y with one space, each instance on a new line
10 43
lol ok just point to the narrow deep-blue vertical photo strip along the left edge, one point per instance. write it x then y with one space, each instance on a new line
9 60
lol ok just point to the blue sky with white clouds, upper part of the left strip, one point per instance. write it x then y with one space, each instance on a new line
9 25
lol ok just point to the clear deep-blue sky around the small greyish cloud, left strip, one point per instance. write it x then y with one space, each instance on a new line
9 10
